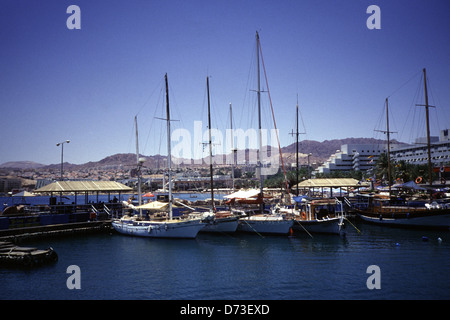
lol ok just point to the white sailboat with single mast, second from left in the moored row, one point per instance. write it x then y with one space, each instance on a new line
216 221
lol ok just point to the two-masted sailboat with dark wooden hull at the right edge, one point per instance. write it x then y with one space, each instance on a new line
395 211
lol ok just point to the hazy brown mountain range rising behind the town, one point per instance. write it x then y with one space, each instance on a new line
319 152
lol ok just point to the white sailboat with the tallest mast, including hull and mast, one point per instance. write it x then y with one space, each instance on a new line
262 221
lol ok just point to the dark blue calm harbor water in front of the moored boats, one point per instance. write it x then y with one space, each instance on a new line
241 267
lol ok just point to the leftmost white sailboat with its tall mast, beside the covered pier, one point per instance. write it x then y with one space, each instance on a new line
160 228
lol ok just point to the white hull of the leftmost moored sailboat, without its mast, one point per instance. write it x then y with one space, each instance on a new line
156 229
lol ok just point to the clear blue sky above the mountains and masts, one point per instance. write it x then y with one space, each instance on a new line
87 85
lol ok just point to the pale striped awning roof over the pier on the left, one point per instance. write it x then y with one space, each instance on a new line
84 186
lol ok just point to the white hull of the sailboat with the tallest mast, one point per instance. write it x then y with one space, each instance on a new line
265 225
